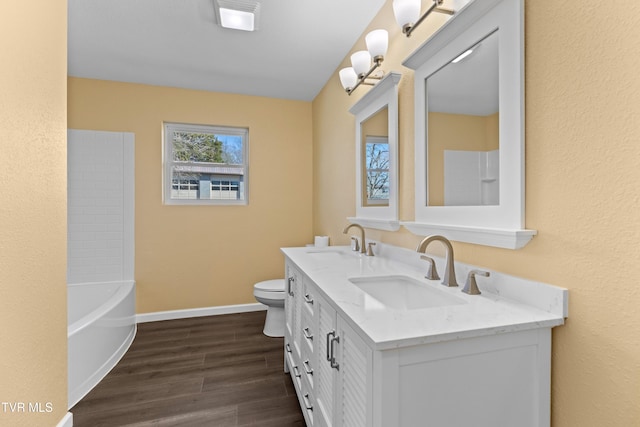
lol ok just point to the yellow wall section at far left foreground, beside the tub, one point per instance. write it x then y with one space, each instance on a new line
33 209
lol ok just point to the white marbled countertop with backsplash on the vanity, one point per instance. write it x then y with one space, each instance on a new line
486 314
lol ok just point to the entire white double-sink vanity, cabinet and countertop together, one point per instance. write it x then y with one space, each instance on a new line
361 354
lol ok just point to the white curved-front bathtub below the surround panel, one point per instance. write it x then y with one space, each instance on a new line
101 327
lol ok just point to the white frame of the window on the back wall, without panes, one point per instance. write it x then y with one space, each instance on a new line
168 163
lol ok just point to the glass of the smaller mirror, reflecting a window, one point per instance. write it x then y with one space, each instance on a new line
375 157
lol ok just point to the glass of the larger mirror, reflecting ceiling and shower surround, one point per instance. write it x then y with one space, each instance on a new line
463 128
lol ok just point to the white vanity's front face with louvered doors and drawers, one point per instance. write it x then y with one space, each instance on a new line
331 366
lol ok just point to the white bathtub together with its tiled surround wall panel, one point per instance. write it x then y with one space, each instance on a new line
101 290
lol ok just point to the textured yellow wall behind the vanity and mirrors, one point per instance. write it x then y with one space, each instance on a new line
582 154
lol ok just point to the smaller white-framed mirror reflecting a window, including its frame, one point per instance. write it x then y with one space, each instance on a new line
376 140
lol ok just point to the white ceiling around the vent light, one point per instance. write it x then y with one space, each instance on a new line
177 43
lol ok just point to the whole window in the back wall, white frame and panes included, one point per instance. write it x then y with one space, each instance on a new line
205 164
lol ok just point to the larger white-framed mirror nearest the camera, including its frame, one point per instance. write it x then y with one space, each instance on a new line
469 118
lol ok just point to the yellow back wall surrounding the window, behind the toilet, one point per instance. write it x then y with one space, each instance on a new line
200 256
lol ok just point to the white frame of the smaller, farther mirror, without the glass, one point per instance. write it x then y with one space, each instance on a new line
383 94
